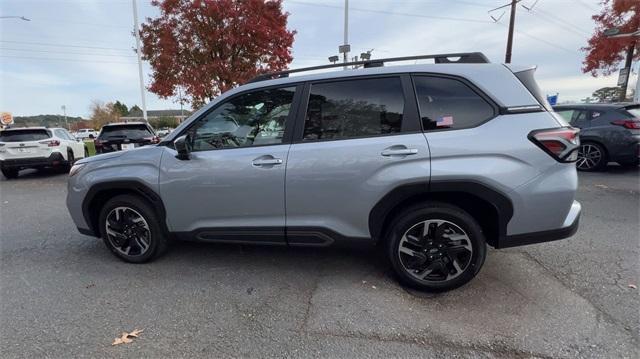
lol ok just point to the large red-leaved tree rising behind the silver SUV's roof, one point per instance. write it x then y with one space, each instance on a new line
207 47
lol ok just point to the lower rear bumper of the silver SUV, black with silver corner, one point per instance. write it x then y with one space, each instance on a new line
568 229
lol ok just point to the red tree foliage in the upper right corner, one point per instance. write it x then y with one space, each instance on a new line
604 54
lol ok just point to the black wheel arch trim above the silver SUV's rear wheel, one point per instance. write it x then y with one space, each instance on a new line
398 195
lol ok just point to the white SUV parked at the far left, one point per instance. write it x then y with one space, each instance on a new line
38 147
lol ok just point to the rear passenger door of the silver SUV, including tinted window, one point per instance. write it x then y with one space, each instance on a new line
356 139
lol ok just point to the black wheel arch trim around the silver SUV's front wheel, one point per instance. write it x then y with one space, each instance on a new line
136 187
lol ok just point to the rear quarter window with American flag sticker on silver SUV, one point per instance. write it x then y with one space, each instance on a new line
447 103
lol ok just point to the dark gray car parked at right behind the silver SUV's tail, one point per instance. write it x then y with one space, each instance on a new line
608 133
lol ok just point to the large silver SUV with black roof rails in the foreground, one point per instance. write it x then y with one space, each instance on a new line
432 162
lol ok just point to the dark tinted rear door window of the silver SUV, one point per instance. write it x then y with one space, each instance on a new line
354 108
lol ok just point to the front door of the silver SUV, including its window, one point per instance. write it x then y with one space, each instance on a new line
232 187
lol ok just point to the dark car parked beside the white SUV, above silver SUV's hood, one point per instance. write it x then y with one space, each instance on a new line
125 136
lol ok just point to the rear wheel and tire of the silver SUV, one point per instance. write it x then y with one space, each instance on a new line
437 263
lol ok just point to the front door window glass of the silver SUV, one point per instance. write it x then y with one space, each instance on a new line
251 119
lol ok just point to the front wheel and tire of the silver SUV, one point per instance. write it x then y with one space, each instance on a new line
128 209
